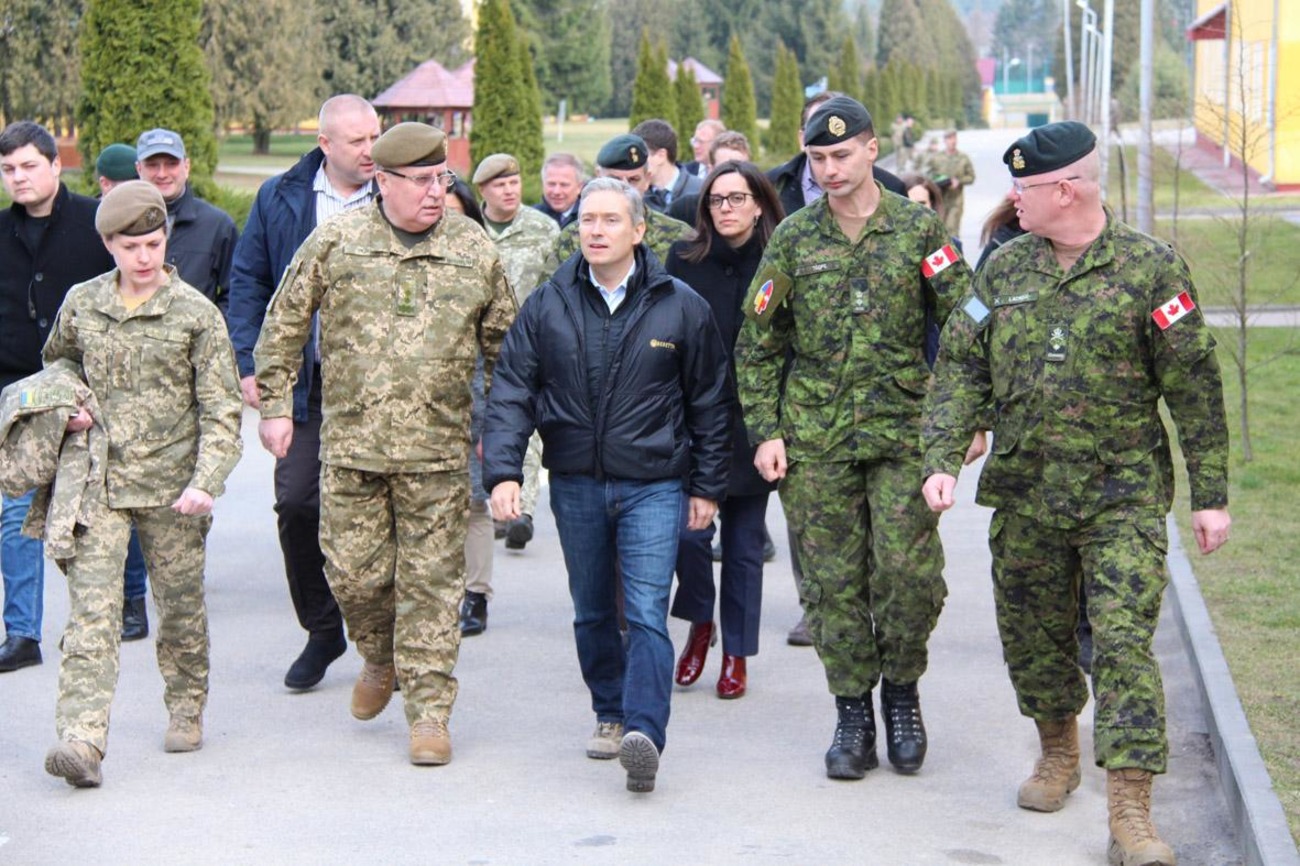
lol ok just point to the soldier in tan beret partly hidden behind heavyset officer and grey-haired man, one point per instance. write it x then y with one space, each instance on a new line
526 241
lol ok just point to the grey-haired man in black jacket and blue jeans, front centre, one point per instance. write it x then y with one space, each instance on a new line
623 371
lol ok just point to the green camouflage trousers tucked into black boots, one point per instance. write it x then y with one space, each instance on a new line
873 568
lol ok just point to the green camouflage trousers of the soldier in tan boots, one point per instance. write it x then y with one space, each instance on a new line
1120 566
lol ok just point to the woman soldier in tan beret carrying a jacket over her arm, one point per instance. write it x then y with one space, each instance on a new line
155 353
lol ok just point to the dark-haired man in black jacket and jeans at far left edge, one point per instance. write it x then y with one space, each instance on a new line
47 245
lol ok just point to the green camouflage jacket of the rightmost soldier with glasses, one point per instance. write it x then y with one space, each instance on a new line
1074 366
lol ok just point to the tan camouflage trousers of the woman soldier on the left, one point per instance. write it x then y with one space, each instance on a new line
175 555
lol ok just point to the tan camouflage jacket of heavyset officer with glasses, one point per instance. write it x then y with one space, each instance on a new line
400 332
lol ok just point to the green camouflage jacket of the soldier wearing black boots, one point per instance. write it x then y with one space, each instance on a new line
835 366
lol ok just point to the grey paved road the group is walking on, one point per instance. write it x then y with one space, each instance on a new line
294 780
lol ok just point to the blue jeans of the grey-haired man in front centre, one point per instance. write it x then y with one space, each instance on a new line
638 525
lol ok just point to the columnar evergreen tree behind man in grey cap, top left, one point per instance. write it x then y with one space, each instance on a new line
142 68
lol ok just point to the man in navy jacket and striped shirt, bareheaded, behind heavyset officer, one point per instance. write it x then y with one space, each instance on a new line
337 176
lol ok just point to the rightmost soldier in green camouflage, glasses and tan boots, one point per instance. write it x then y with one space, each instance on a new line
1067 344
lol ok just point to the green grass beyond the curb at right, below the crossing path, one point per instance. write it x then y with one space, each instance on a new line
1250 584
